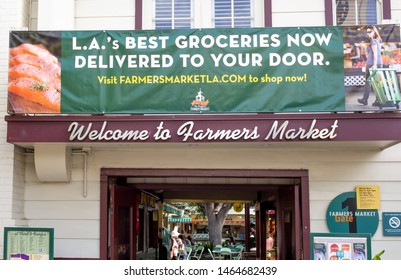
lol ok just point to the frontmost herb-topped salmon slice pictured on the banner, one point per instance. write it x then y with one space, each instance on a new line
32 90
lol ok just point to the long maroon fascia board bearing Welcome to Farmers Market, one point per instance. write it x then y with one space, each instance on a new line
204 128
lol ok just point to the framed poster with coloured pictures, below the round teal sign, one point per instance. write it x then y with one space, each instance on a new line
337 246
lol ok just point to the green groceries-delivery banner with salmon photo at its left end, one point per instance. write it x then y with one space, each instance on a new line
250 70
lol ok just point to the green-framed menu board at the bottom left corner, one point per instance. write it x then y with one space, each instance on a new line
25 243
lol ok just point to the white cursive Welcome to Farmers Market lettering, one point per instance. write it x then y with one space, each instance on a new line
189 132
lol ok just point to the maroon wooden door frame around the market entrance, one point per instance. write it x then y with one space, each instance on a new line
108 174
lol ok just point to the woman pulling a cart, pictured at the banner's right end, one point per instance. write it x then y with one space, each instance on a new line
374 61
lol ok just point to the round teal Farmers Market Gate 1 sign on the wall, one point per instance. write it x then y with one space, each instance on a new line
343 216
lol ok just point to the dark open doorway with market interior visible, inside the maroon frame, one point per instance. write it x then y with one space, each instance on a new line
265 219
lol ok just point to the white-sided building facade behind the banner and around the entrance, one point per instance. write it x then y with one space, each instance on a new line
33 195
